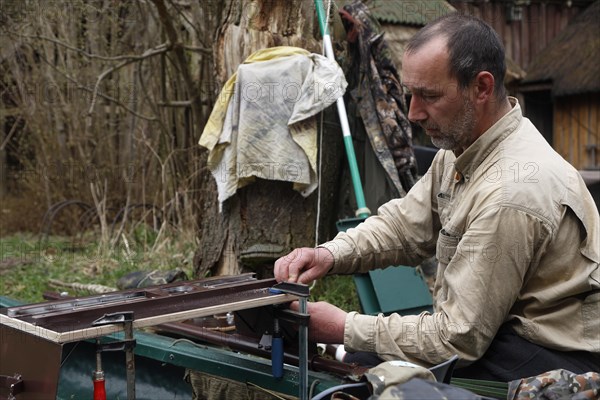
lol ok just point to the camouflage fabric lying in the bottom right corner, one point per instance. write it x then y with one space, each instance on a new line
556 384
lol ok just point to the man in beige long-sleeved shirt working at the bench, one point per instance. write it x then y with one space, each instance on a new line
513 227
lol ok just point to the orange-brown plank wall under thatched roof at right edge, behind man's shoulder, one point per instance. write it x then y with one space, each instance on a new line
577 129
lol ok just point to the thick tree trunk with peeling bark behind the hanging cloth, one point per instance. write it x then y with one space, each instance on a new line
266 219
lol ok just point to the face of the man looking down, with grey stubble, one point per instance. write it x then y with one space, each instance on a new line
438 104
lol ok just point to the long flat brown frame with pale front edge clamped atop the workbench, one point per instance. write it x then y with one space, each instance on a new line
64 321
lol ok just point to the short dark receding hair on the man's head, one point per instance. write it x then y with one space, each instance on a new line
473 46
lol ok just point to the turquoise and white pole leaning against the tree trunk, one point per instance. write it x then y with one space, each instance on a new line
362 211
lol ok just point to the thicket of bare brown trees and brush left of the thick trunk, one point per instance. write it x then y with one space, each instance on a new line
63 61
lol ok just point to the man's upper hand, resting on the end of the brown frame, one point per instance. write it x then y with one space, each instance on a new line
303 265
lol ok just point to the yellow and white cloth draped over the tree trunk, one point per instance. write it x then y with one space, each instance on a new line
263 124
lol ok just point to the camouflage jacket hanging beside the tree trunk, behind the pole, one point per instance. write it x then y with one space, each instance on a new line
375 87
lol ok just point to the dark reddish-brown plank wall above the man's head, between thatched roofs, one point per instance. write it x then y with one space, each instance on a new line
541 21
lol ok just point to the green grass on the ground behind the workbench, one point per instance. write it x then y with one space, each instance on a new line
28 265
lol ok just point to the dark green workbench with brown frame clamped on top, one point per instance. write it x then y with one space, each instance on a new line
48 349
